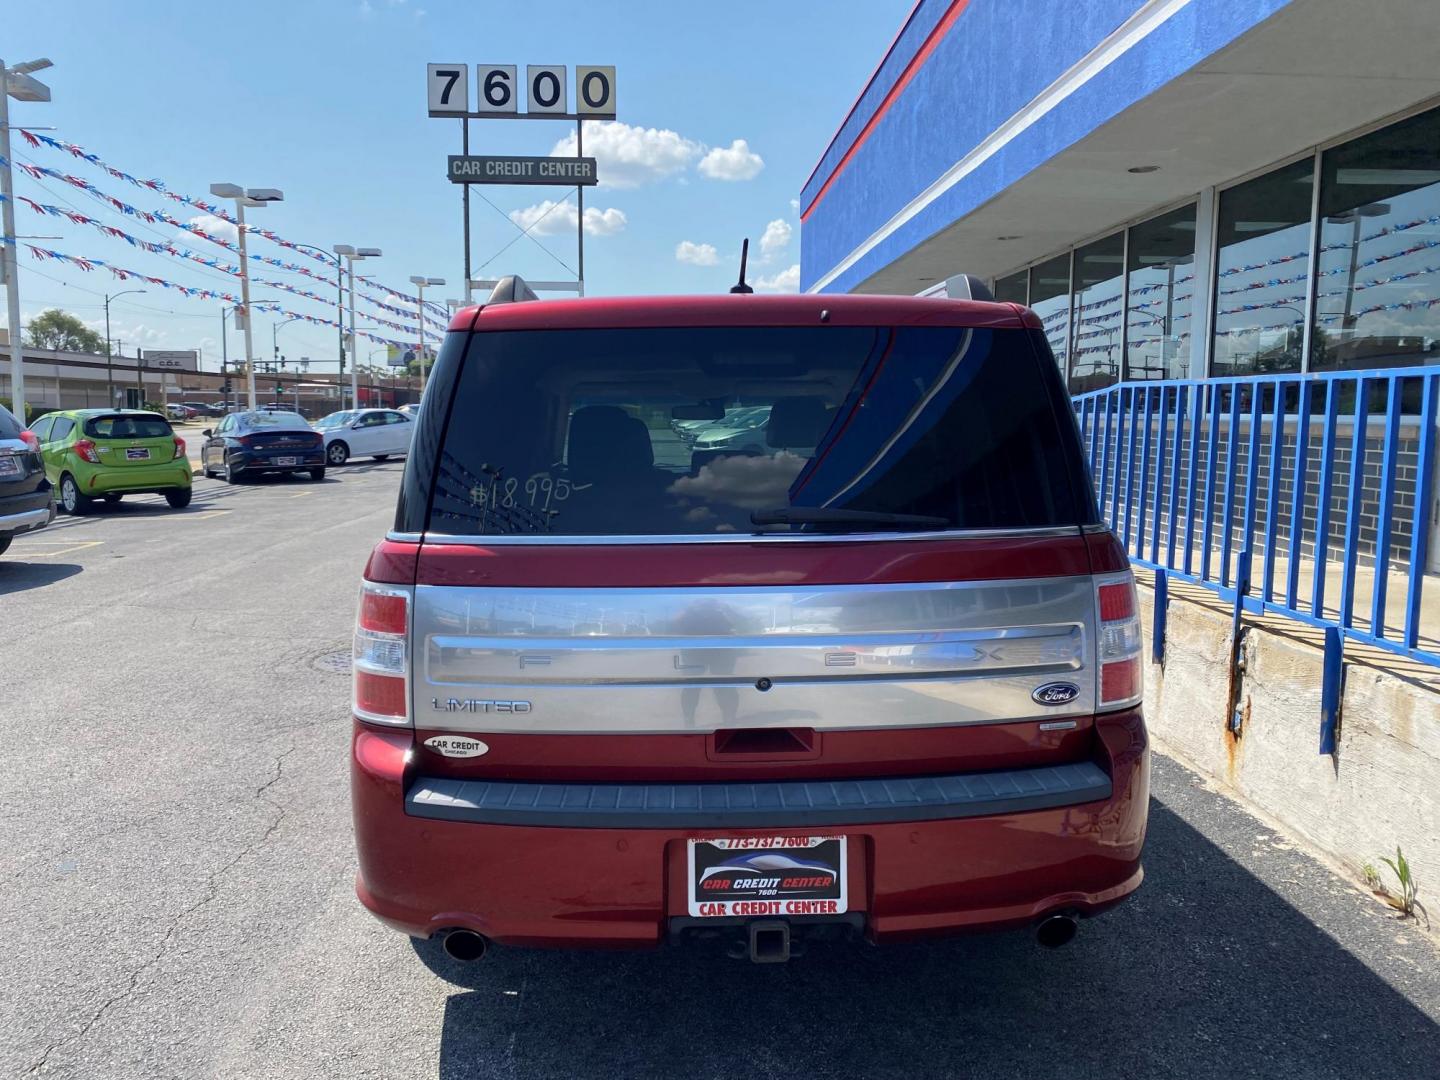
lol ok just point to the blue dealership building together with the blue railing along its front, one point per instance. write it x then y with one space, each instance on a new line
1228 217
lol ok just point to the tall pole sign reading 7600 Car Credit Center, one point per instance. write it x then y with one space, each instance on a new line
499 91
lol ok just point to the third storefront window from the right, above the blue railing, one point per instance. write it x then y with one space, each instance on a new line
1163 286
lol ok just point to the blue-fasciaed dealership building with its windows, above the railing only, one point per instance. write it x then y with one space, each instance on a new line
1179 188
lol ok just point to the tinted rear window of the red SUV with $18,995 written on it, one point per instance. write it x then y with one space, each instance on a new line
712 431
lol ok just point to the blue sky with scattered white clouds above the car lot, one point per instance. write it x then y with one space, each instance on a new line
724 110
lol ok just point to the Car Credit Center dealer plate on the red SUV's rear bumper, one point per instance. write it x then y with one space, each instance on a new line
767 878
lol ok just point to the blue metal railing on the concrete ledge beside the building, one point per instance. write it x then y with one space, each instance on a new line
1315 476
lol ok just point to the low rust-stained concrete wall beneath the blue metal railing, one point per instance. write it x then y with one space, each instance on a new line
1382 788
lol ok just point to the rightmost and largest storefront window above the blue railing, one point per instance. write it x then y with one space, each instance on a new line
1377 280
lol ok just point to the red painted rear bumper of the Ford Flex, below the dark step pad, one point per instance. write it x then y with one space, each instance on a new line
621 885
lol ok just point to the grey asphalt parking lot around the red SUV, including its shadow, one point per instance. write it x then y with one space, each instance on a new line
178 878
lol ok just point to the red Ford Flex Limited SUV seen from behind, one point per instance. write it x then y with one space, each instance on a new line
876 673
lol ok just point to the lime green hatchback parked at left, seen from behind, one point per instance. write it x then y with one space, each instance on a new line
103 454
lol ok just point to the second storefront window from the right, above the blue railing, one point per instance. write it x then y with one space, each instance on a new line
1264 237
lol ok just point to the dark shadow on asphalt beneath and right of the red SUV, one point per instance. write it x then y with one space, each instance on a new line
1206 973
